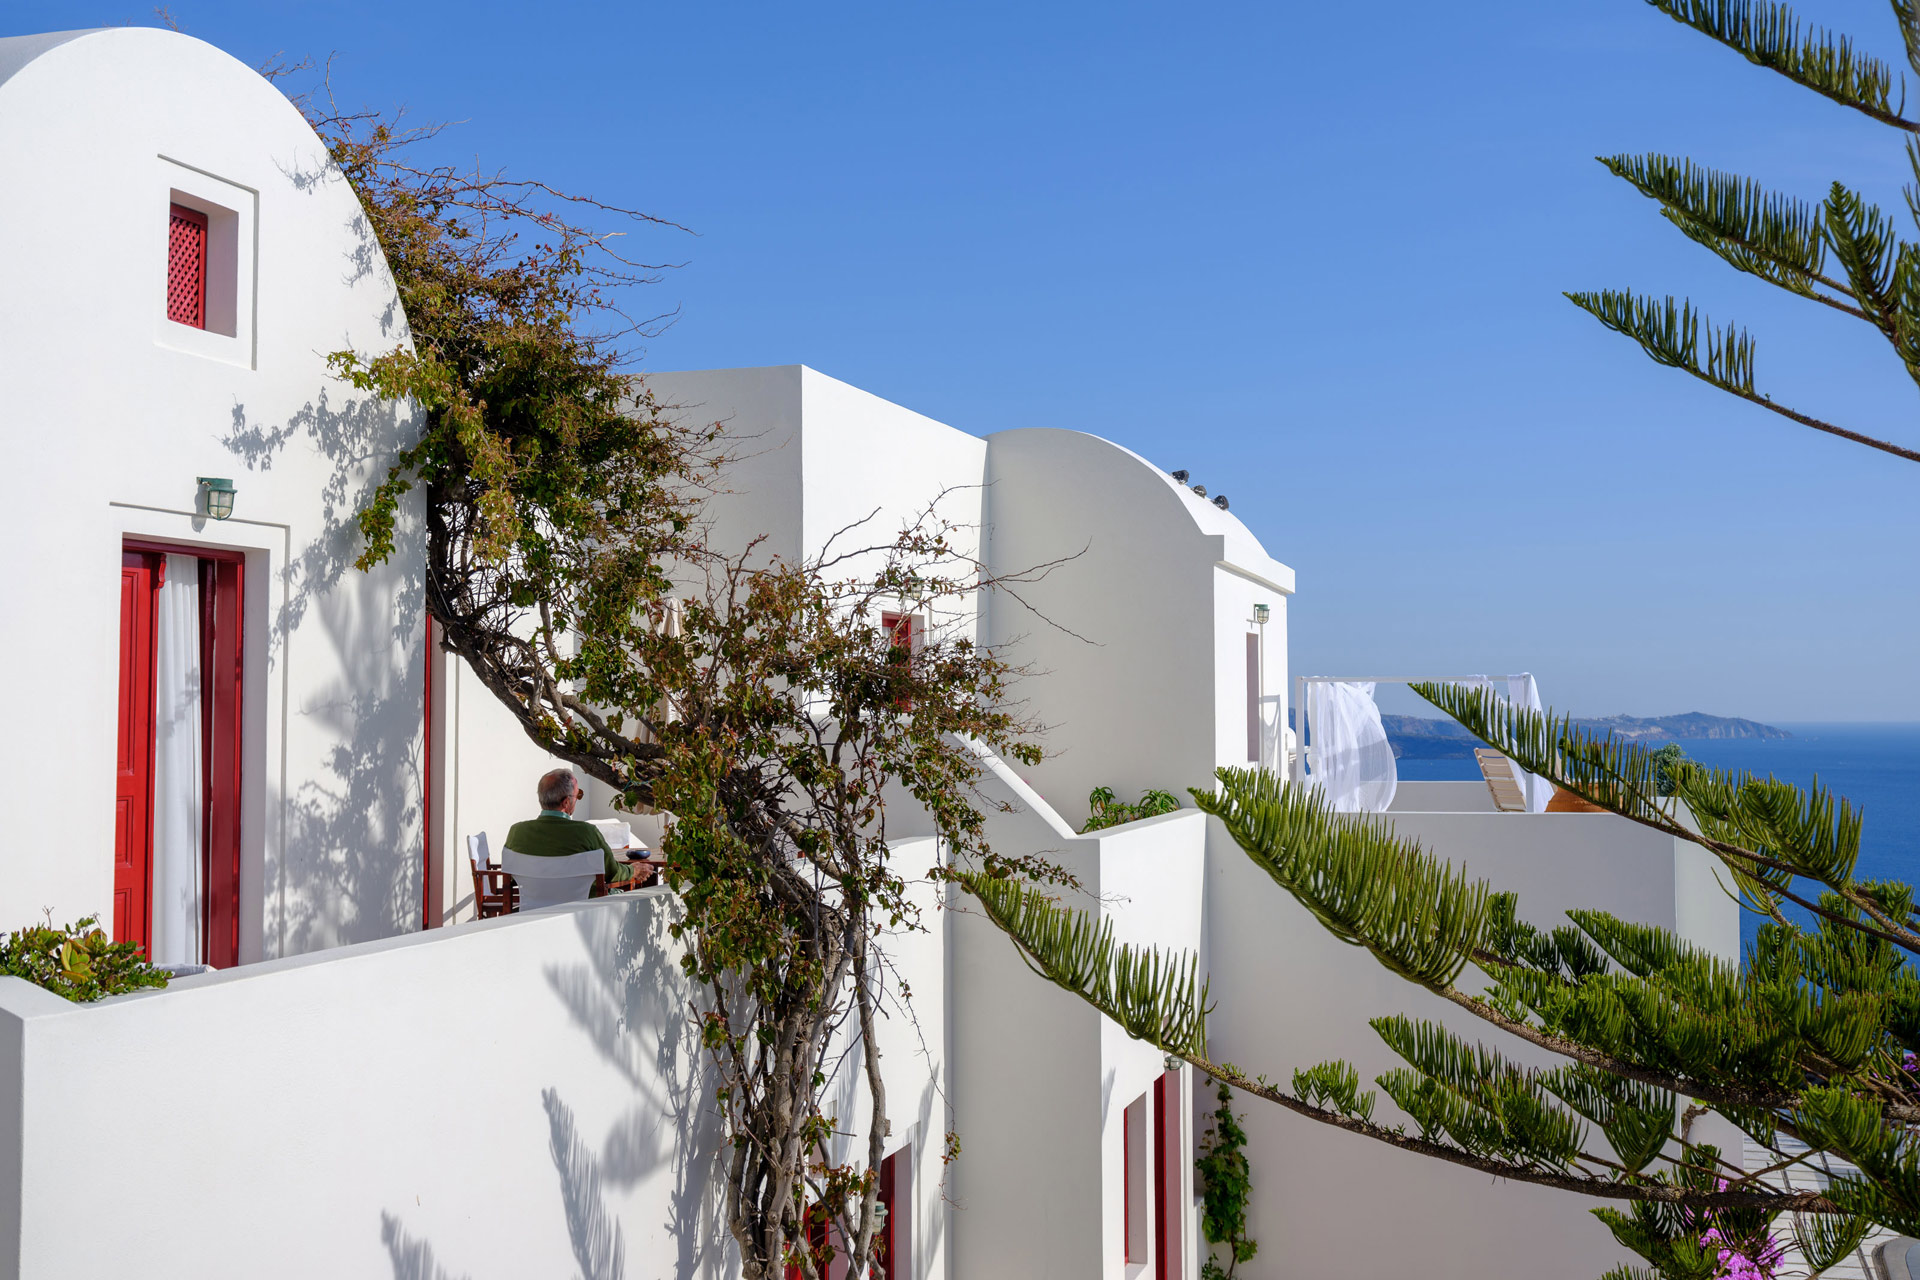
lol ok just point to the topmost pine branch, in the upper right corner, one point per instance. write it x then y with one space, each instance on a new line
1769 36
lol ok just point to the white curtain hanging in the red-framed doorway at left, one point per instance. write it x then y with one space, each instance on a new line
178 792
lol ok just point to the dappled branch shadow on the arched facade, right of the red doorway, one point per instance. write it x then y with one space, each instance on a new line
350 868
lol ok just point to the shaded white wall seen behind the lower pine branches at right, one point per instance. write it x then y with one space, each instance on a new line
1318 1191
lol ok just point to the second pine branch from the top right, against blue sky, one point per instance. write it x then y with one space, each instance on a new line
1756 231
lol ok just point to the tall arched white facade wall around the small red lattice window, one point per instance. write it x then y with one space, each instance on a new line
112 412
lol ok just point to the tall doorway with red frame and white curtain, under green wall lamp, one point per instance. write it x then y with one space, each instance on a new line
178 786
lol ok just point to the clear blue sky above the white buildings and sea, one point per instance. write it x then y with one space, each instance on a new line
1312 254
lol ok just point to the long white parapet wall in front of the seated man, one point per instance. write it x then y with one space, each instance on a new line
496 1101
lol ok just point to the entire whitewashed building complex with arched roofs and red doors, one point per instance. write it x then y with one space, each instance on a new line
370 1083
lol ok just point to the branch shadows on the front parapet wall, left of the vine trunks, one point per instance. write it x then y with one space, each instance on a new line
635 1012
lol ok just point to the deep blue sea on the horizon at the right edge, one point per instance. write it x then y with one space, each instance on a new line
1873 765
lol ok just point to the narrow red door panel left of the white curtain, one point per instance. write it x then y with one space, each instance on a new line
133 780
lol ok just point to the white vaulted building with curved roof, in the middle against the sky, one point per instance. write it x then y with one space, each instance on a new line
1138 636
